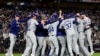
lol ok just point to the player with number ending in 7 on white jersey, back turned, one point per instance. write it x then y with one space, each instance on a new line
68 25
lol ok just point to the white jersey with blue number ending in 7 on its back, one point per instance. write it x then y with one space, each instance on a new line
68 25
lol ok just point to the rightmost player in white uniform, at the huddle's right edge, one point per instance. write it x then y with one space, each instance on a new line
88 31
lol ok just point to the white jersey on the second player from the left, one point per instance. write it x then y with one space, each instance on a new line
32 24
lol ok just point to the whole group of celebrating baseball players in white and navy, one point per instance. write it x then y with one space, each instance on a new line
64 33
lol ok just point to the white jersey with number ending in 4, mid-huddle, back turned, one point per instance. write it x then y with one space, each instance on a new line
52 28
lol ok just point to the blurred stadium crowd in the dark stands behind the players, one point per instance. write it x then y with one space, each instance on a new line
6 15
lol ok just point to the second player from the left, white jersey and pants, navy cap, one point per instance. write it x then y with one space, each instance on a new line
30 35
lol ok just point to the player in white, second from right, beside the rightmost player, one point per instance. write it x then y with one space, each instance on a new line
81 35
